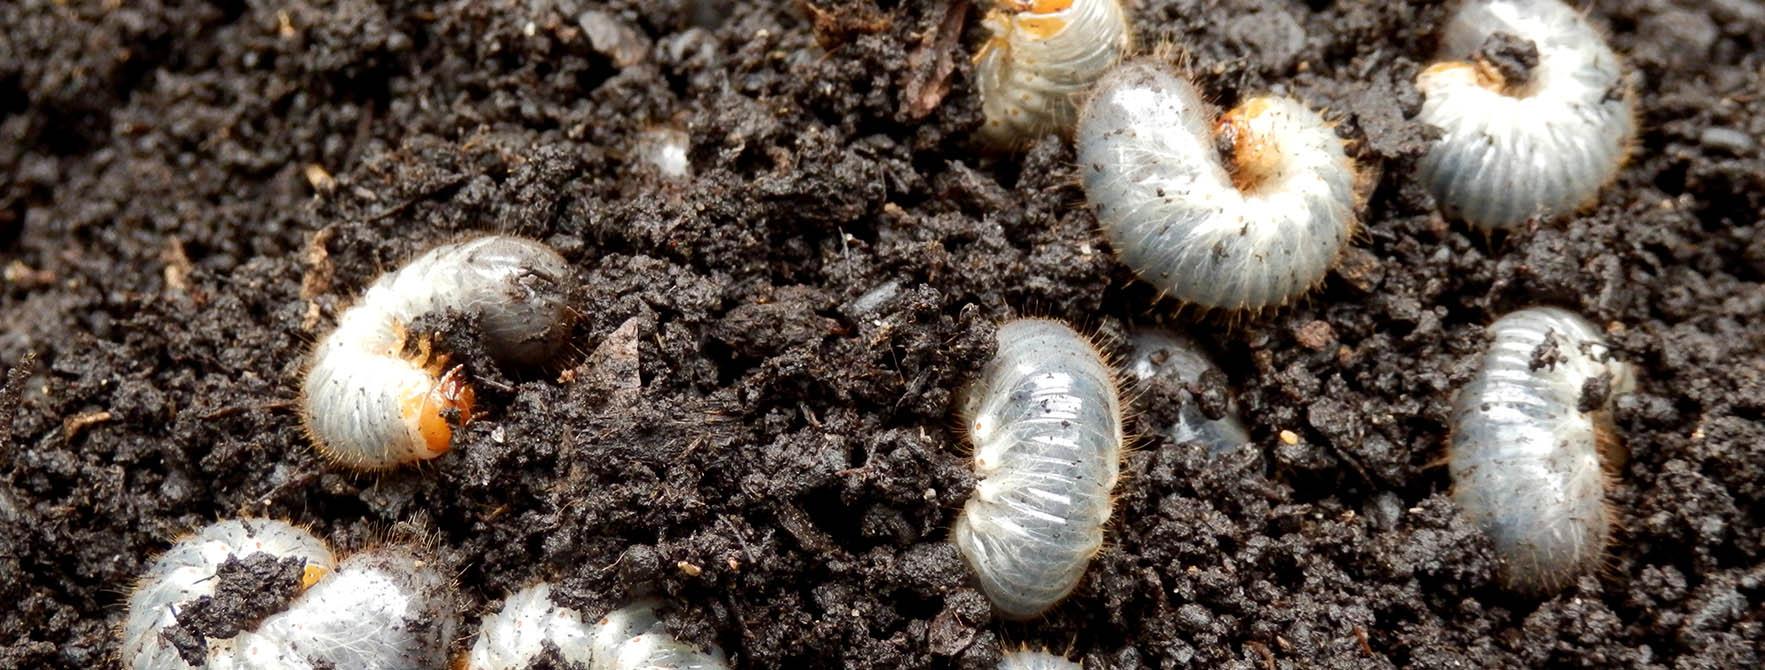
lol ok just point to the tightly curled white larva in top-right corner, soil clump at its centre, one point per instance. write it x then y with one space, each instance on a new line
1524 140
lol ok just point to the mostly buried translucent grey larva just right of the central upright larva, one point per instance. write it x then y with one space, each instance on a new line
1164 355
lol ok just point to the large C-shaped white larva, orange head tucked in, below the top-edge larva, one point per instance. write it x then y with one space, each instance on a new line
1251 234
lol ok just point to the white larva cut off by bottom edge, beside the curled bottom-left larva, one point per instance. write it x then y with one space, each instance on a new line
627 639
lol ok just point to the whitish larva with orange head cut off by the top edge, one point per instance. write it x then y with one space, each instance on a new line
1042 57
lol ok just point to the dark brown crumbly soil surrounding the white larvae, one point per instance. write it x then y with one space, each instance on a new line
193 191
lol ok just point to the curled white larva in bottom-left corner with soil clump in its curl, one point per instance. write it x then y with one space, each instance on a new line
384 609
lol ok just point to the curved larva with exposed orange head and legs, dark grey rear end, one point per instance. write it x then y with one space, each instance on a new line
373 403
